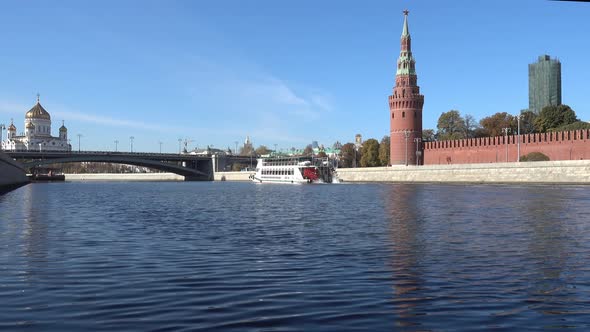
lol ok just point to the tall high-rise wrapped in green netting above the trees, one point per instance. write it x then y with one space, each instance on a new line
544 83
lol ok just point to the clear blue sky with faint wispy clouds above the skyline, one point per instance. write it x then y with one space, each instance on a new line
283 72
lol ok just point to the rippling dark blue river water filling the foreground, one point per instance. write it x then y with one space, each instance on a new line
245 257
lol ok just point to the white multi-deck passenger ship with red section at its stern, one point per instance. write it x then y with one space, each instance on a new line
293 170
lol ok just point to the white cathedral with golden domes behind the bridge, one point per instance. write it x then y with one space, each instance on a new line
37 134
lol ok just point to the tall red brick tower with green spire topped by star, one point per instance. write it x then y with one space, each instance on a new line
405 106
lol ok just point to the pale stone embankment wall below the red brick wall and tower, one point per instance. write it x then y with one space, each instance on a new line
577 171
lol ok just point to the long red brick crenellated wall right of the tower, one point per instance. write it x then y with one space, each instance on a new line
565 145
